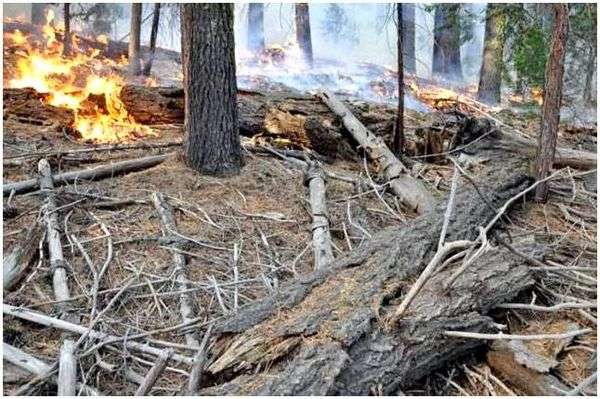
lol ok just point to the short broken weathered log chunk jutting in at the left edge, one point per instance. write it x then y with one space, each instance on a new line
16 263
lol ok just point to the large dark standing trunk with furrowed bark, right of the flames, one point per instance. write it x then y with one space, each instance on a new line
212 143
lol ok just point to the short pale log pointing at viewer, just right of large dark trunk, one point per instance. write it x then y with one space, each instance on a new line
320 225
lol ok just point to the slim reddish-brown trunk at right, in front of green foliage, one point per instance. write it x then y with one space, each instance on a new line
552 98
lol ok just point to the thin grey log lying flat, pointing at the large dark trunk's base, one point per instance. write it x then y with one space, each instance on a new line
95 173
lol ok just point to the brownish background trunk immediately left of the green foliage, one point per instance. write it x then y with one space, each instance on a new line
490 77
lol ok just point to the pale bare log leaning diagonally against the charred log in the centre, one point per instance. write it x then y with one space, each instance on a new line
411 191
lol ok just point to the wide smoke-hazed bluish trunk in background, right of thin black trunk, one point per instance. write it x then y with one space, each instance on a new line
446 44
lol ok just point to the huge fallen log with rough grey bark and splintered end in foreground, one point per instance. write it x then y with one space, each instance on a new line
325 334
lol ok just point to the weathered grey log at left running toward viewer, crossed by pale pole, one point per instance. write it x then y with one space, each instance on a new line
67 370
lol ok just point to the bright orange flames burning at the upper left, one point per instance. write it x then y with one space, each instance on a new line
82 82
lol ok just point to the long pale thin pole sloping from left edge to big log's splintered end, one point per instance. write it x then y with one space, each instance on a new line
48 321
